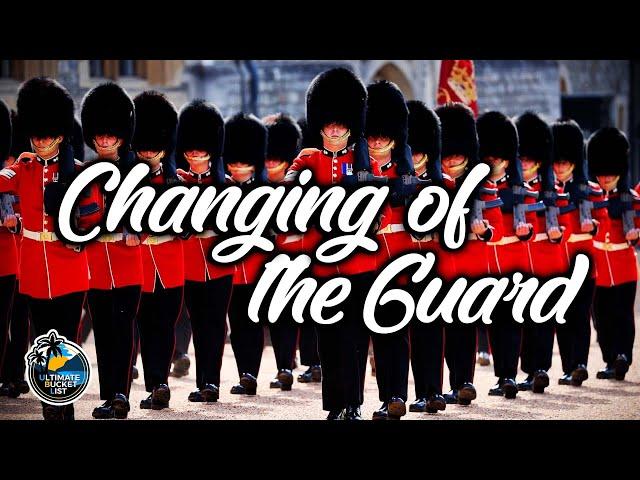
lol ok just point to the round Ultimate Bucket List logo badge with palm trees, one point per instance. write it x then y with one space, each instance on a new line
58 371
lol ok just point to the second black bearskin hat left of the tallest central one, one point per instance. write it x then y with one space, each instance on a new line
245 141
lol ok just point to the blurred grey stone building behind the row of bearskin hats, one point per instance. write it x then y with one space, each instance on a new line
593 92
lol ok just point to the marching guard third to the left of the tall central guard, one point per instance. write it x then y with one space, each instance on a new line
208 286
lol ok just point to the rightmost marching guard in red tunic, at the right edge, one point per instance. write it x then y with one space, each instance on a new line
615 255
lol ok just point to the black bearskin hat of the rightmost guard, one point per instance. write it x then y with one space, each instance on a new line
608 152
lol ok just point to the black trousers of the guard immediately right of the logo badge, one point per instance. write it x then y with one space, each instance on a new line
113 314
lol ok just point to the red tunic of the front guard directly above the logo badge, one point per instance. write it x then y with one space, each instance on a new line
48 269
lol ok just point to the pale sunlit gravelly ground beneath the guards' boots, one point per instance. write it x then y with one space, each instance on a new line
596 399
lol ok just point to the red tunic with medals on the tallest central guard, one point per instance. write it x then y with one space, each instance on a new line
328 169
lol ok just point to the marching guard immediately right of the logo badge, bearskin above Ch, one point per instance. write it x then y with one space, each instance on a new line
115 259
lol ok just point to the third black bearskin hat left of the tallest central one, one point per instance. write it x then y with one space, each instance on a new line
200 127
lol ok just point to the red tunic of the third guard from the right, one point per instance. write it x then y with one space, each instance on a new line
547 258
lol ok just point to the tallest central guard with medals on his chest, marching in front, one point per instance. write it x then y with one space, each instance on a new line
336 108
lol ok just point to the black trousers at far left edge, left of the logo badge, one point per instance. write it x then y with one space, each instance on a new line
18 344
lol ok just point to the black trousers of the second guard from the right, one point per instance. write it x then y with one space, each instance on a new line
574 336
